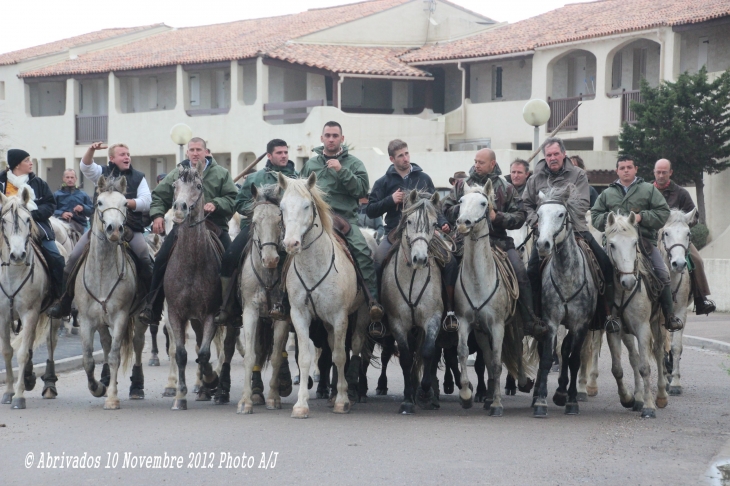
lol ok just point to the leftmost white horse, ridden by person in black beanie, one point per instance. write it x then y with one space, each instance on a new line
24 284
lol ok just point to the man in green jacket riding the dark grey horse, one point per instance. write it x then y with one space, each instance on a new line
220 194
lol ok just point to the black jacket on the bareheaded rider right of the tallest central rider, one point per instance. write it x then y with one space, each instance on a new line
381 201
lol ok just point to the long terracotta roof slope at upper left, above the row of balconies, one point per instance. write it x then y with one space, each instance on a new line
222 42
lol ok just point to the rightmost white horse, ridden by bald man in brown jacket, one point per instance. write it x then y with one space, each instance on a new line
674 247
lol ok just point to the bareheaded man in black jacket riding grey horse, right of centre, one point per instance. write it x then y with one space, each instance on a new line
388 195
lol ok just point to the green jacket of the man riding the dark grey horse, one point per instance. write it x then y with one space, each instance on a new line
218 188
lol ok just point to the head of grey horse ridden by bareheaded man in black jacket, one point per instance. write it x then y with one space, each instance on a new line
418 223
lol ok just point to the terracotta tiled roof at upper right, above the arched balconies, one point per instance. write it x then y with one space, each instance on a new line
575 22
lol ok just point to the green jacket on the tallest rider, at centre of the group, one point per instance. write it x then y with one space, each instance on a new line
343 189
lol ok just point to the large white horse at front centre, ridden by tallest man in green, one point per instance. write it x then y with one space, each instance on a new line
316 289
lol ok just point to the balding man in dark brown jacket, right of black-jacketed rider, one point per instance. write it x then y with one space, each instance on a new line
507 214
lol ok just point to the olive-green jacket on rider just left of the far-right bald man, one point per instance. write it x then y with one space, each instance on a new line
642 198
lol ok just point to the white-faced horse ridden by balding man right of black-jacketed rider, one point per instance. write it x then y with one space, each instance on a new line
483 301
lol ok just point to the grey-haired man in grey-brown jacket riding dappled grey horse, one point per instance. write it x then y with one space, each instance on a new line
553 171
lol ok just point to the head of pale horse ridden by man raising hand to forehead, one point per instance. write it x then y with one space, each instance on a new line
111 207
